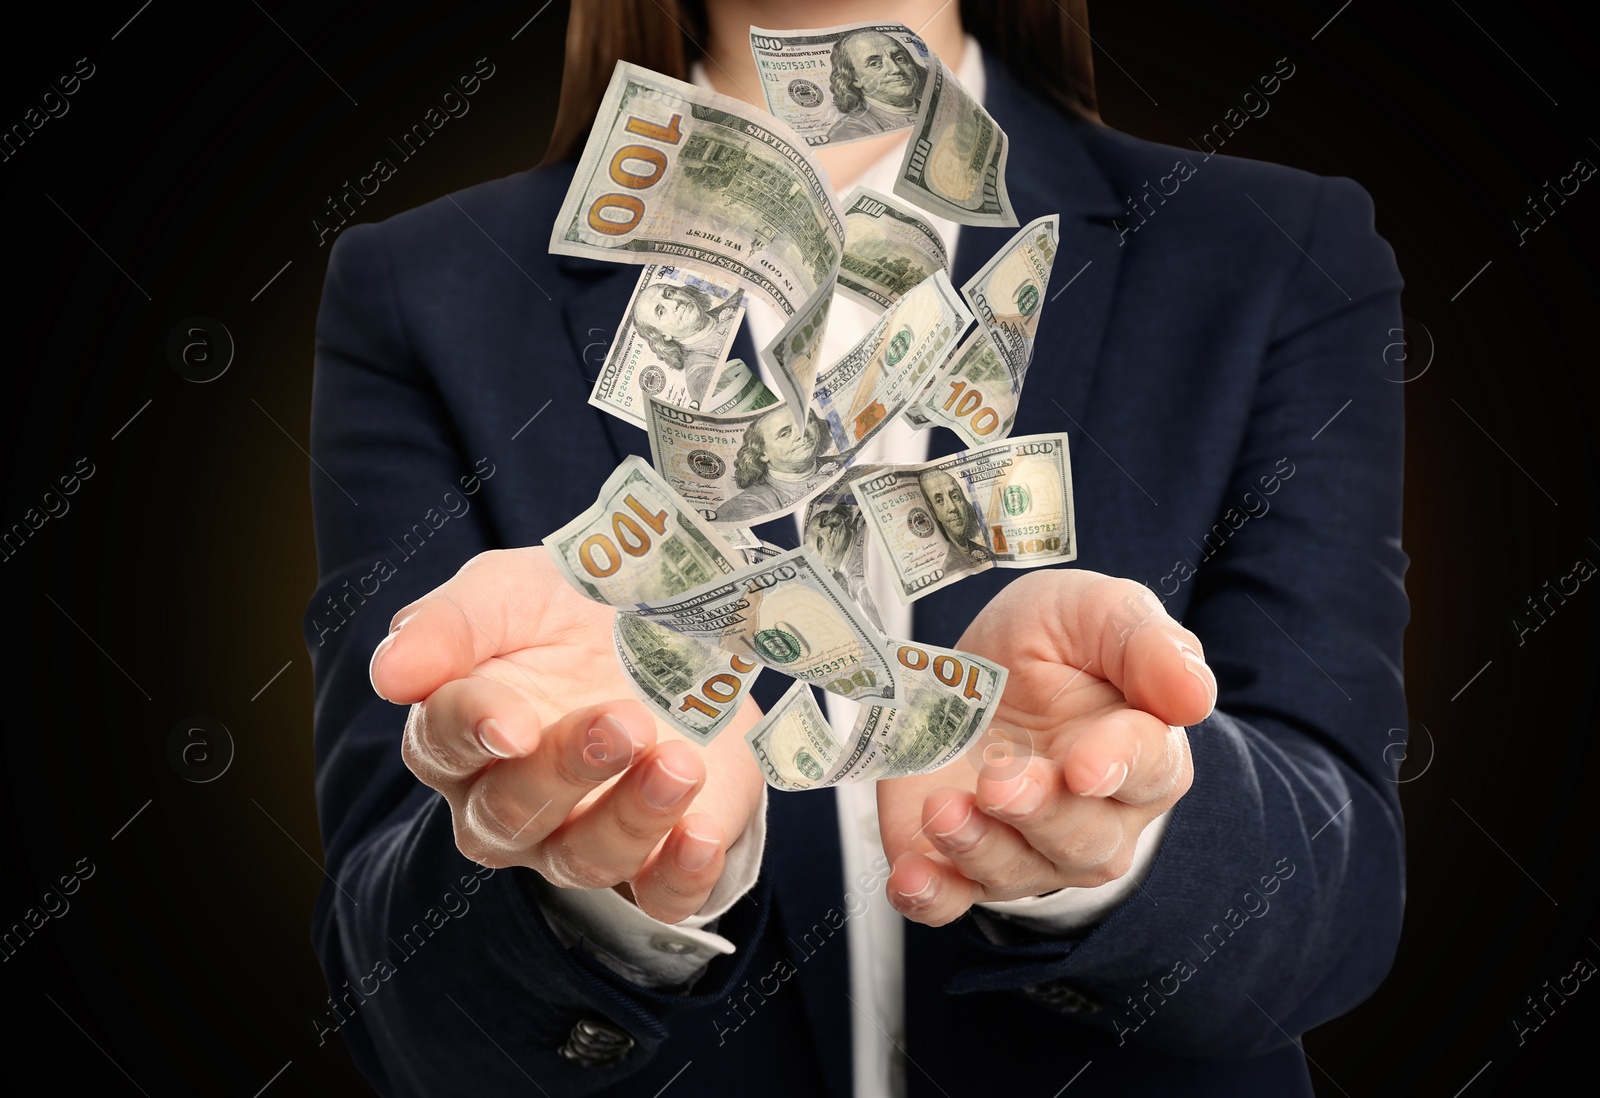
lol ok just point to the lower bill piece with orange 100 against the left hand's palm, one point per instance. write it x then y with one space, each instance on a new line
692 684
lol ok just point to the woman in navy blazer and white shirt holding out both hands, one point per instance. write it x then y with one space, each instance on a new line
1198 859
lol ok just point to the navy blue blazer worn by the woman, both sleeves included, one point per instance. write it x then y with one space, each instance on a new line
1214 347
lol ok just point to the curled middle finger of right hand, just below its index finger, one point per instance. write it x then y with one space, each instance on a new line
1086 840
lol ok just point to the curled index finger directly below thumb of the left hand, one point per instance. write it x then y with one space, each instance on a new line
465 726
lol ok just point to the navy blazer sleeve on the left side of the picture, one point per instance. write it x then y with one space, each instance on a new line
439 971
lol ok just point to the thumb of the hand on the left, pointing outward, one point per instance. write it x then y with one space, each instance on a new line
502 601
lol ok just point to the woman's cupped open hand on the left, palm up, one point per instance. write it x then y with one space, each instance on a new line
522 719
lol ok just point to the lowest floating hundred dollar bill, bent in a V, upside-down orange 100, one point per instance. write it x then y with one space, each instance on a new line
948 700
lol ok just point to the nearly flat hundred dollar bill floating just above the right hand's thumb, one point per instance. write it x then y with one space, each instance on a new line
1007 505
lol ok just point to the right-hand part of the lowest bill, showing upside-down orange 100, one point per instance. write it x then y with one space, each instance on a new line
945 702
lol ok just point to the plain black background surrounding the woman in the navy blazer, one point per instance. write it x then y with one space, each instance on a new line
188 172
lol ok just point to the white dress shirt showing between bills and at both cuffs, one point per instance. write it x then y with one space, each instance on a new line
654 953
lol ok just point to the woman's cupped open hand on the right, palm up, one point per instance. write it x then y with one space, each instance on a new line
1081 756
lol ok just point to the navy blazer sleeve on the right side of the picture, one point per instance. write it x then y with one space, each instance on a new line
1276 900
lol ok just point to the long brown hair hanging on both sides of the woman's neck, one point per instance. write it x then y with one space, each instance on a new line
1044 46
